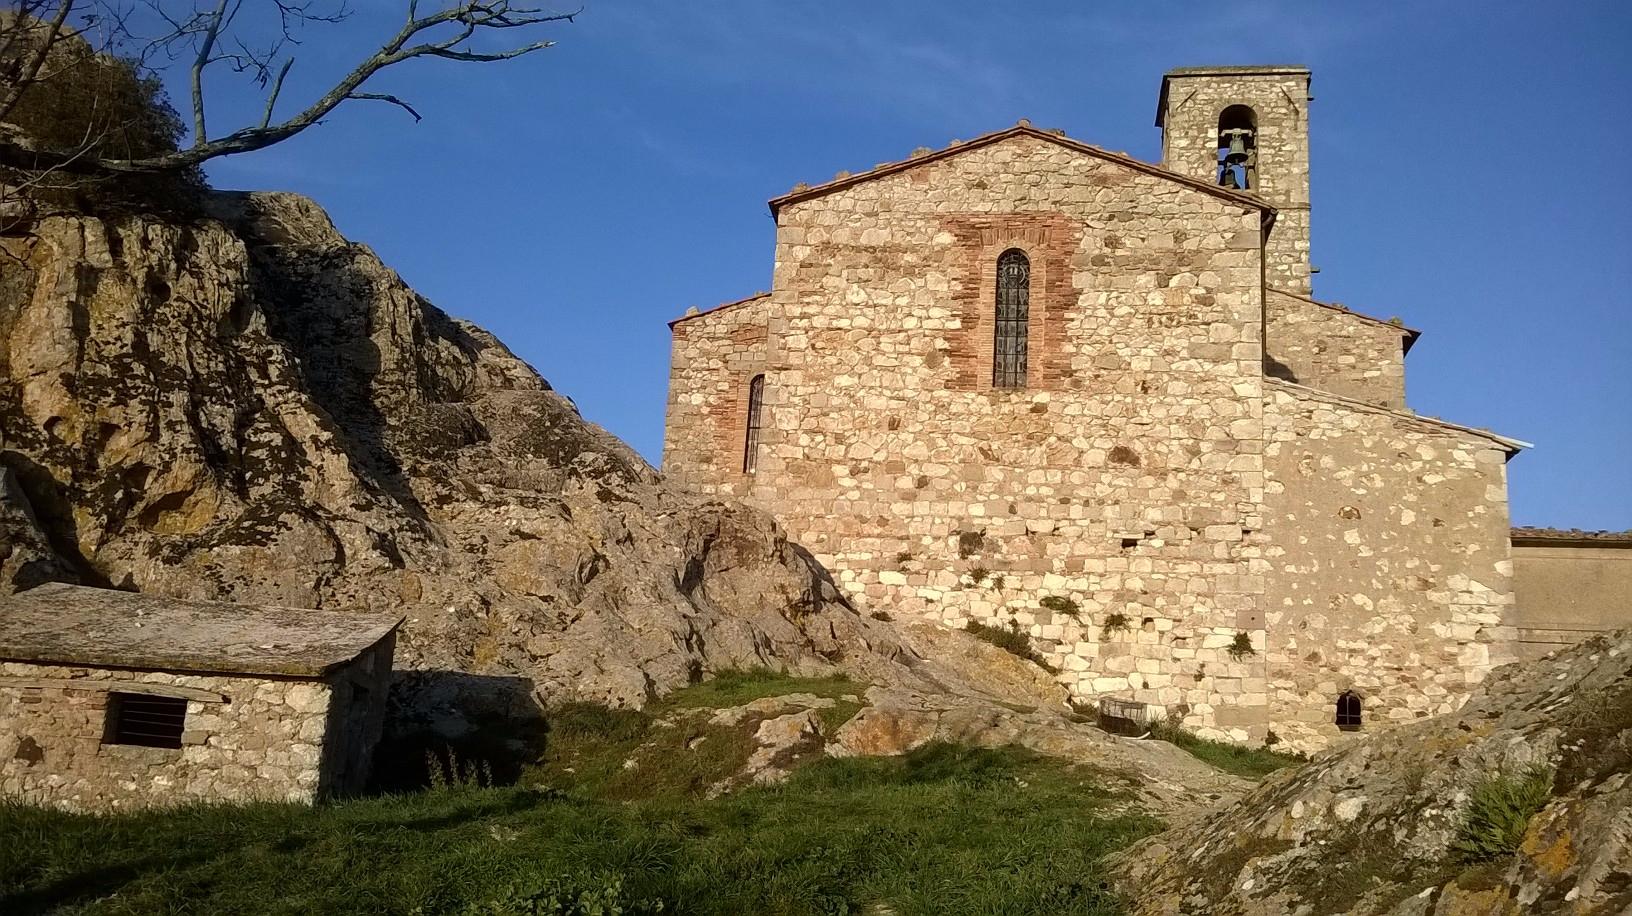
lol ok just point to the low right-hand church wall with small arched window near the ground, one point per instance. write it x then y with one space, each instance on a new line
1390 571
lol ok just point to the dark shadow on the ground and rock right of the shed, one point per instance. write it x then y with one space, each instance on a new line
458 727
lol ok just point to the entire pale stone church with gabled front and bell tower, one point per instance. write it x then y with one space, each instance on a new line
1027 383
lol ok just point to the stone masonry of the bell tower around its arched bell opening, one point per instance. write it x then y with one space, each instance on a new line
1282 104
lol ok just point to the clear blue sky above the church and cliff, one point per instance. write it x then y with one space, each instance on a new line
1471 176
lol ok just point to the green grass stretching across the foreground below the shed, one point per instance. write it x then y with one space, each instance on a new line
939 832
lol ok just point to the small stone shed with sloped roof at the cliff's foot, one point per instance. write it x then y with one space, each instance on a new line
112 700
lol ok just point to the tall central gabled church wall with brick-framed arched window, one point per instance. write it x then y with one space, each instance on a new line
1125 478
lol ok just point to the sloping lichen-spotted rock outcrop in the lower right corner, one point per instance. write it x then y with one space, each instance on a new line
1373 827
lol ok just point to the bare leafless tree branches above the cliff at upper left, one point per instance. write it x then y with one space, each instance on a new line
206 37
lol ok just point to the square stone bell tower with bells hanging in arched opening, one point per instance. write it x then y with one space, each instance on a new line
1248 128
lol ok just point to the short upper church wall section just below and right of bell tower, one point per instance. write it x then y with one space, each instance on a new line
1334 350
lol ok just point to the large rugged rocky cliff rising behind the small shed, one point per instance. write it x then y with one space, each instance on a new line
254 409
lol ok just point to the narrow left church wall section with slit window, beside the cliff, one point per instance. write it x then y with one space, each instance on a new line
714 358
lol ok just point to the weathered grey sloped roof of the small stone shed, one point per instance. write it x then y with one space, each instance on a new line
69 625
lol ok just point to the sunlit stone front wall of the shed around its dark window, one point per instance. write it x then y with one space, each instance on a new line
265 744
